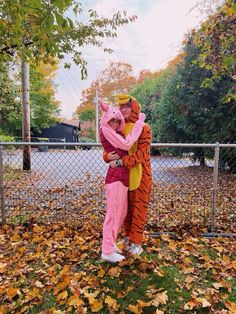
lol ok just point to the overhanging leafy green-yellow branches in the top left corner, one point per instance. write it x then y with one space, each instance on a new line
43 31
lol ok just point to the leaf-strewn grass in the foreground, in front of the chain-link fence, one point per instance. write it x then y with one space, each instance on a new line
57 268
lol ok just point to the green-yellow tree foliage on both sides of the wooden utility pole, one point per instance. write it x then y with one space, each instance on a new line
44 107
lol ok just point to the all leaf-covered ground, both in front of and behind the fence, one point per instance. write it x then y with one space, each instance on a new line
50 253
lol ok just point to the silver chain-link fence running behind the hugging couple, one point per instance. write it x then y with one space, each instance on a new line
194 185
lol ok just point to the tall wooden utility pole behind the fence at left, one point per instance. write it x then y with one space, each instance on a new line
26 115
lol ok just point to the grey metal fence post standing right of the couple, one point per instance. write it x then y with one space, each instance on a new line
215 186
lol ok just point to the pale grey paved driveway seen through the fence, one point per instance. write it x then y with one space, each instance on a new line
69 165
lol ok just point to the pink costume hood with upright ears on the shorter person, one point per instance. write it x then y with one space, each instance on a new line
111 113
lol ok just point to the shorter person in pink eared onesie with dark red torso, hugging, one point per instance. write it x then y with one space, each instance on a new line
117 179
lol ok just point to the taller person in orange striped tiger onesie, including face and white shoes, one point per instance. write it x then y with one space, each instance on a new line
138 163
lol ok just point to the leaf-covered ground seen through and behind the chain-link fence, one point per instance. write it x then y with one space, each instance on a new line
182 205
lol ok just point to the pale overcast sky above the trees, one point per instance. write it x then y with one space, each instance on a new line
149 43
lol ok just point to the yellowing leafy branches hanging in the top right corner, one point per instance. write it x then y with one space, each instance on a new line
216 40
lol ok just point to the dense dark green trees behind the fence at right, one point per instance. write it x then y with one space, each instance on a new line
191 113
